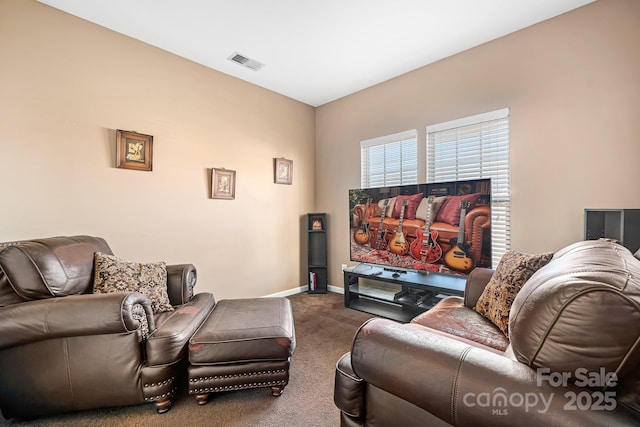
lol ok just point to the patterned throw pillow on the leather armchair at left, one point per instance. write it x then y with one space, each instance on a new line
113 274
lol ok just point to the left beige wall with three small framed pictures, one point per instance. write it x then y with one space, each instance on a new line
66 85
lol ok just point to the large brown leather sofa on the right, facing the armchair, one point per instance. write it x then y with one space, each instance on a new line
573 325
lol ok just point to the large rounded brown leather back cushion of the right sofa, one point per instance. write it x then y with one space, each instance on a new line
581 310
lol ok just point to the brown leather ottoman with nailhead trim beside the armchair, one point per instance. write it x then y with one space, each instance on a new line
244 343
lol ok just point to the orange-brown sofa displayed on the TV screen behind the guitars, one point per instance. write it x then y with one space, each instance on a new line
476 222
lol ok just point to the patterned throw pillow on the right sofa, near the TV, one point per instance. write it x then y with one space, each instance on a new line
513 270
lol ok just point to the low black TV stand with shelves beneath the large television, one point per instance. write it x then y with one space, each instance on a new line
395 295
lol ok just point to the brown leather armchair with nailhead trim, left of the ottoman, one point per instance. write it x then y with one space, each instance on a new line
63 348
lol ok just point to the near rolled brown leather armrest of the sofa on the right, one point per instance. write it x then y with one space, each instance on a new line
467 386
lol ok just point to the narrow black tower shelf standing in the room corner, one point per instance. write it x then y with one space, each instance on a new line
317 252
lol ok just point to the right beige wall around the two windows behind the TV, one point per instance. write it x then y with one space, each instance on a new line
572 84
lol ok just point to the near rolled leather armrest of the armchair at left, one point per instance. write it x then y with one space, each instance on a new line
75 315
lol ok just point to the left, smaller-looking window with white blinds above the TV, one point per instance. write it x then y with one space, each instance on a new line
389 160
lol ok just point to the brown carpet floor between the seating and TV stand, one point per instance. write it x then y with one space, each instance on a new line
324 330
